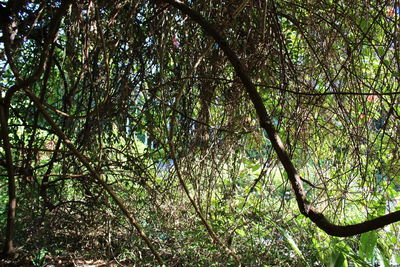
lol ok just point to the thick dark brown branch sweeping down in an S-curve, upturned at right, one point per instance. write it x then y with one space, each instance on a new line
265 122
